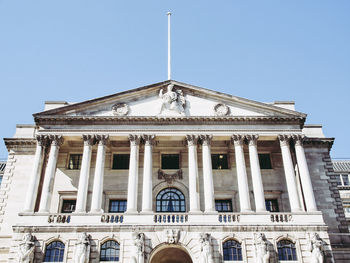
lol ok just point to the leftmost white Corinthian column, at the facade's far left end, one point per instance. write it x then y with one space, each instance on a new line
32 190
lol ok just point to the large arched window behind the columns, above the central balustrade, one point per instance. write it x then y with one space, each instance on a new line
171 200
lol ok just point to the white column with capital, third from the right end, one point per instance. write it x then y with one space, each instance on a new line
256 173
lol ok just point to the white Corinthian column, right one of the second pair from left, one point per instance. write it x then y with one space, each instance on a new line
97 191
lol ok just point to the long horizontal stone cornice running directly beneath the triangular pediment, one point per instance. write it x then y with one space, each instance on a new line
147 120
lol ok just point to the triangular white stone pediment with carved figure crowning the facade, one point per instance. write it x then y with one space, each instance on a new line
171 99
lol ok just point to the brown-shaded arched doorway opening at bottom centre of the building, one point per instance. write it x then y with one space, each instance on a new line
170 254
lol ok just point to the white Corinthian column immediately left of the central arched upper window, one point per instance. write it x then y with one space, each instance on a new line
147 174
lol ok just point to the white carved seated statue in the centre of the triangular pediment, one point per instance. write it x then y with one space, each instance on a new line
173 101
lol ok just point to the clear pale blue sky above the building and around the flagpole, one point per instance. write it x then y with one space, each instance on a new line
262 50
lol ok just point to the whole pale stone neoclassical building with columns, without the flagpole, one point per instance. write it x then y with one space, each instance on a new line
171 172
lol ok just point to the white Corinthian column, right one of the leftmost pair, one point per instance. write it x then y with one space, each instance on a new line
56 142
